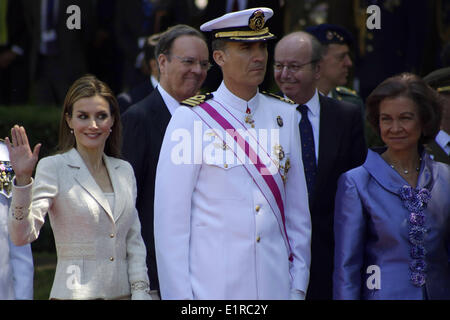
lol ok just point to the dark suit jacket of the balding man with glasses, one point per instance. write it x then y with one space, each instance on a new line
341 147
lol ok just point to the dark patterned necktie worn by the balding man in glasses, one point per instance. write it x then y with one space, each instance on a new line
308 150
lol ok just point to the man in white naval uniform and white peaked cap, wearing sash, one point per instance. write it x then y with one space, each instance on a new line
231 205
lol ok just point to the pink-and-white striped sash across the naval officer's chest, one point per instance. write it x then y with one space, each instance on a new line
271 186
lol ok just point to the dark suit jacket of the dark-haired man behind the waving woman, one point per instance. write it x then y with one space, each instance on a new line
144 125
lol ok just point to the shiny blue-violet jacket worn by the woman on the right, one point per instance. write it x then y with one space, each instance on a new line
372 226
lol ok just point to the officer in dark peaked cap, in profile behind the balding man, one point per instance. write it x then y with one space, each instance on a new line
336 62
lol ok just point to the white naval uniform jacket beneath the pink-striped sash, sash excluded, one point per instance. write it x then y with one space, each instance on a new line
216 236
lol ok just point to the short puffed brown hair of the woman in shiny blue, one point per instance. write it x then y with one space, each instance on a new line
413 87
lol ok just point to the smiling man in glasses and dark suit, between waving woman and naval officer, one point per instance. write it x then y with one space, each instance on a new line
182 56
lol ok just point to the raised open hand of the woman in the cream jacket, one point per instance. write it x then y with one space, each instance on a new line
22 159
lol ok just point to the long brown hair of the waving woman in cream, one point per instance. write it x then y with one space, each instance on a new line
86 87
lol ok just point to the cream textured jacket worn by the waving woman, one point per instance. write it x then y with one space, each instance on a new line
100 252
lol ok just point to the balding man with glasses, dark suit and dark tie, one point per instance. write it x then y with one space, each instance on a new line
333 142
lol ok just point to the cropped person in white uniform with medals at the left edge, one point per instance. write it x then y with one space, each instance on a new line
16 263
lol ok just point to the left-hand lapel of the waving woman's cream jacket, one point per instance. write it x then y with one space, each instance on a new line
85 179
